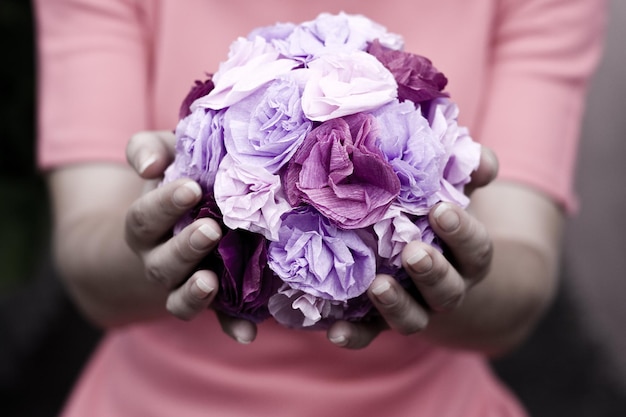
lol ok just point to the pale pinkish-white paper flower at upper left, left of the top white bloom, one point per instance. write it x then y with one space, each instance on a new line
250 65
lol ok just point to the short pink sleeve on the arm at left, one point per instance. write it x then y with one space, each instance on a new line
81 116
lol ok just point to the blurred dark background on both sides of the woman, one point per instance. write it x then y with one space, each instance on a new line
575 365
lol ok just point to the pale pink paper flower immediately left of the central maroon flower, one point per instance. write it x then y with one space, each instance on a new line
249 198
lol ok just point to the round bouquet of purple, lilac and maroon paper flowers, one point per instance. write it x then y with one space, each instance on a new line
320 148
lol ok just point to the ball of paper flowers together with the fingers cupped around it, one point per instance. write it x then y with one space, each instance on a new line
323 154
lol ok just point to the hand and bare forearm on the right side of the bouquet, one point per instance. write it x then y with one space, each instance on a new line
506 302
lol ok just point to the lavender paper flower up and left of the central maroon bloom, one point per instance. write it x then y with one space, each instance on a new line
267 127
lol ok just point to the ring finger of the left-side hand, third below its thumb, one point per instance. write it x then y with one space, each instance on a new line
193 296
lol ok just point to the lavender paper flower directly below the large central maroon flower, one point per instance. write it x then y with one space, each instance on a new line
315 256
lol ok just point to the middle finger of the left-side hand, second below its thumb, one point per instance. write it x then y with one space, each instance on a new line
171 262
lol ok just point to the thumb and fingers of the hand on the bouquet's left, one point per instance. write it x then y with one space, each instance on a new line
171 261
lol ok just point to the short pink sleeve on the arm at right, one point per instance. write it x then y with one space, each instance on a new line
544 52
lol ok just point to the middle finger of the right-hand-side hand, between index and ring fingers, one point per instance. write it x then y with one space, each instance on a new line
439 283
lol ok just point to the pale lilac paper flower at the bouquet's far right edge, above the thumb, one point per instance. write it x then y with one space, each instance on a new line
462 153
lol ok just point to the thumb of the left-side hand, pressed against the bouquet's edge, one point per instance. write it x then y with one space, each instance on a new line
149 153
